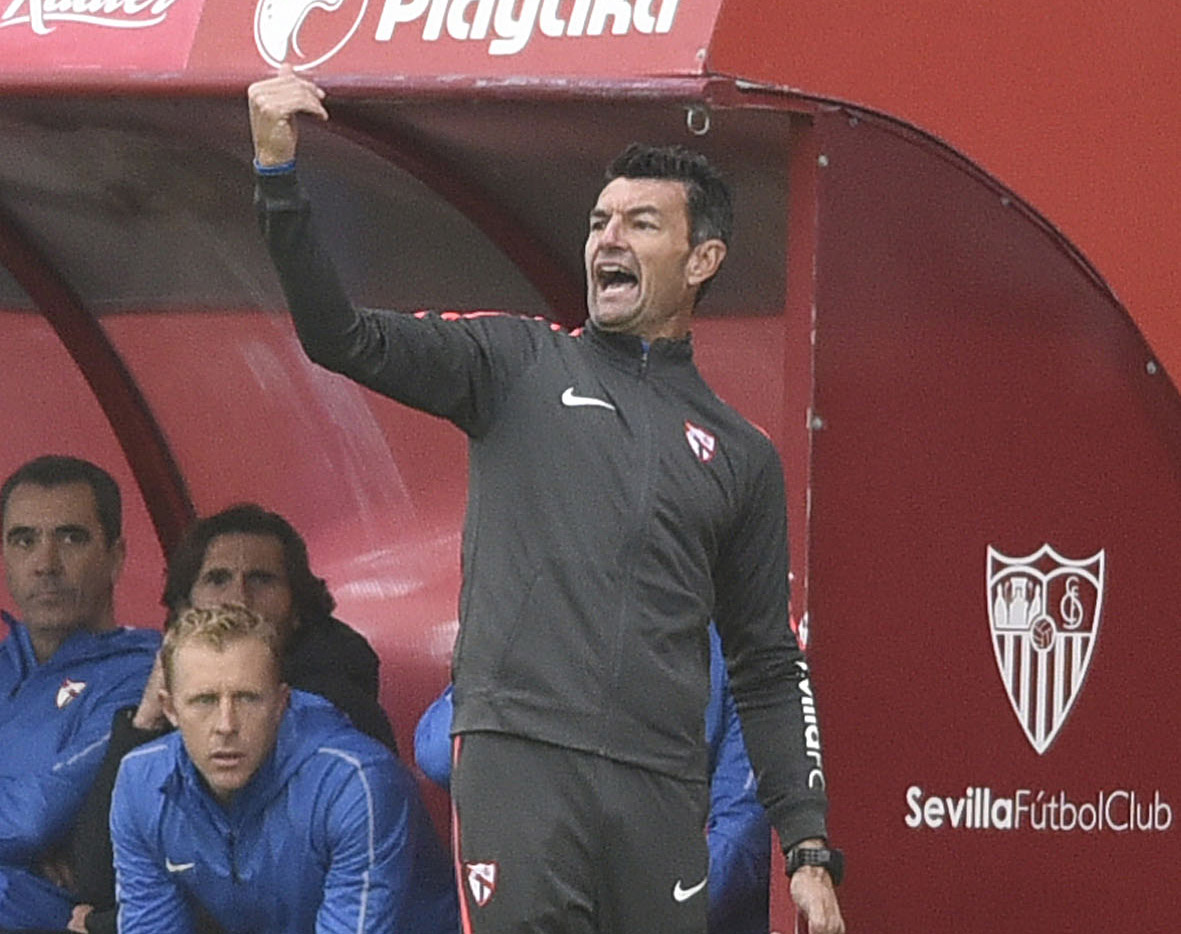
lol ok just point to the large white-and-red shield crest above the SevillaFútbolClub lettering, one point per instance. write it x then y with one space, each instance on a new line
1045 615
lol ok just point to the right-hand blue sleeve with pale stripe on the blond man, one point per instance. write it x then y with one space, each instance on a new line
367 890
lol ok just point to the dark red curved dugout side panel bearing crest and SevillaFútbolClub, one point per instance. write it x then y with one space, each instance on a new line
980 390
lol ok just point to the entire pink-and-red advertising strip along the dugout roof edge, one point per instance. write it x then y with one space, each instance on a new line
219 40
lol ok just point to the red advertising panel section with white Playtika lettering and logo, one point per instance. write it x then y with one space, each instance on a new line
458 37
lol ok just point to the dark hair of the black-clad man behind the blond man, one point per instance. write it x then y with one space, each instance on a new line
310 595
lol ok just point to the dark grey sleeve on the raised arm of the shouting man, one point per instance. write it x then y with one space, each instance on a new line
447 365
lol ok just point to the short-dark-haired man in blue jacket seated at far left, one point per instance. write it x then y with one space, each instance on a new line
66 668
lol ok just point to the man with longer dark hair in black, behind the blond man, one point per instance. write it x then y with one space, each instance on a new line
252 557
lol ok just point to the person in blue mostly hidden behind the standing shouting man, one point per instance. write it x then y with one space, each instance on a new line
740 835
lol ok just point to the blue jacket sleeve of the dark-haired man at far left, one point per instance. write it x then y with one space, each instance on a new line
37 808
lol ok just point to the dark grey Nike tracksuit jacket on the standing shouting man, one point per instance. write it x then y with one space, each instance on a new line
616 506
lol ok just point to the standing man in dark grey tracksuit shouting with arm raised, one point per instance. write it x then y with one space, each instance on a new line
616 506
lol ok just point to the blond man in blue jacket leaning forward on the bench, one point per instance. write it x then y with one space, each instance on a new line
266 808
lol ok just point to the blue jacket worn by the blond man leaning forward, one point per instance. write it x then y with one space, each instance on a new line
328 837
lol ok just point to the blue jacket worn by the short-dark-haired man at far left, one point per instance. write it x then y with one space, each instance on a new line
55 722
